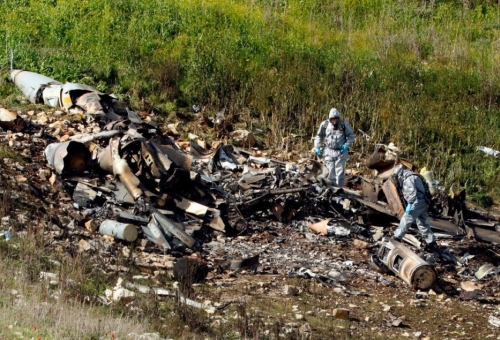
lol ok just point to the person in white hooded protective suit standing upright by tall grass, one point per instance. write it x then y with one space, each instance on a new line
338 137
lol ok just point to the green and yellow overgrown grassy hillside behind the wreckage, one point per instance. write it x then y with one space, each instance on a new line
423 74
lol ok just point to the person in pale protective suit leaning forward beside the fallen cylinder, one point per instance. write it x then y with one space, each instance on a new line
416 210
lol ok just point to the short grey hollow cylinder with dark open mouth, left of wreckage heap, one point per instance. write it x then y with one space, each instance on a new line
68 157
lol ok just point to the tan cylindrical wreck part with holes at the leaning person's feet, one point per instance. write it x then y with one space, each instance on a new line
406 264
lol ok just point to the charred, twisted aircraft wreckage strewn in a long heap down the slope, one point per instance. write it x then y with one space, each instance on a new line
172 189
